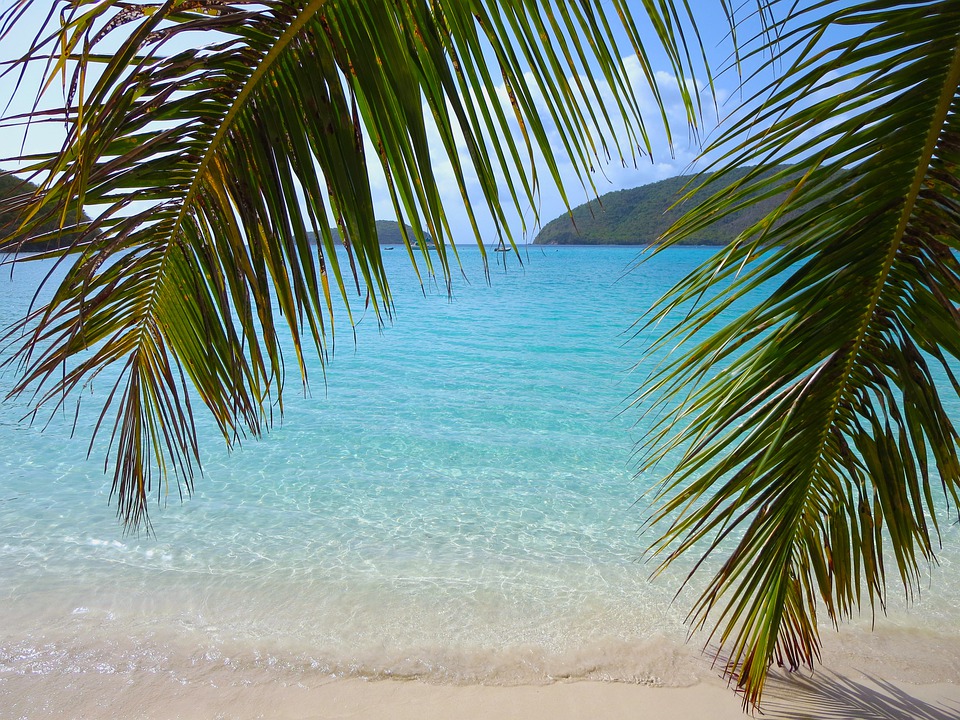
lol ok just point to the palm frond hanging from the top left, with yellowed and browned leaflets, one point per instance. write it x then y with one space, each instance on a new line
207 137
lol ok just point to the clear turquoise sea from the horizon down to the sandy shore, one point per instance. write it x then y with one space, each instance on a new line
455 499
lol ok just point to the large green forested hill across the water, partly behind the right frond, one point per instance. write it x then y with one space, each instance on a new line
640 215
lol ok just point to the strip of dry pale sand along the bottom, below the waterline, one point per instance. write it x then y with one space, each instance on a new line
848 695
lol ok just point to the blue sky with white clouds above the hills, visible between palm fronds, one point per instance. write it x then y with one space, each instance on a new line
666 161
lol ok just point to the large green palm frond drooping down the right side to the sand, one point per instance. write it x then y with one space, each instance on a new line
810 427
